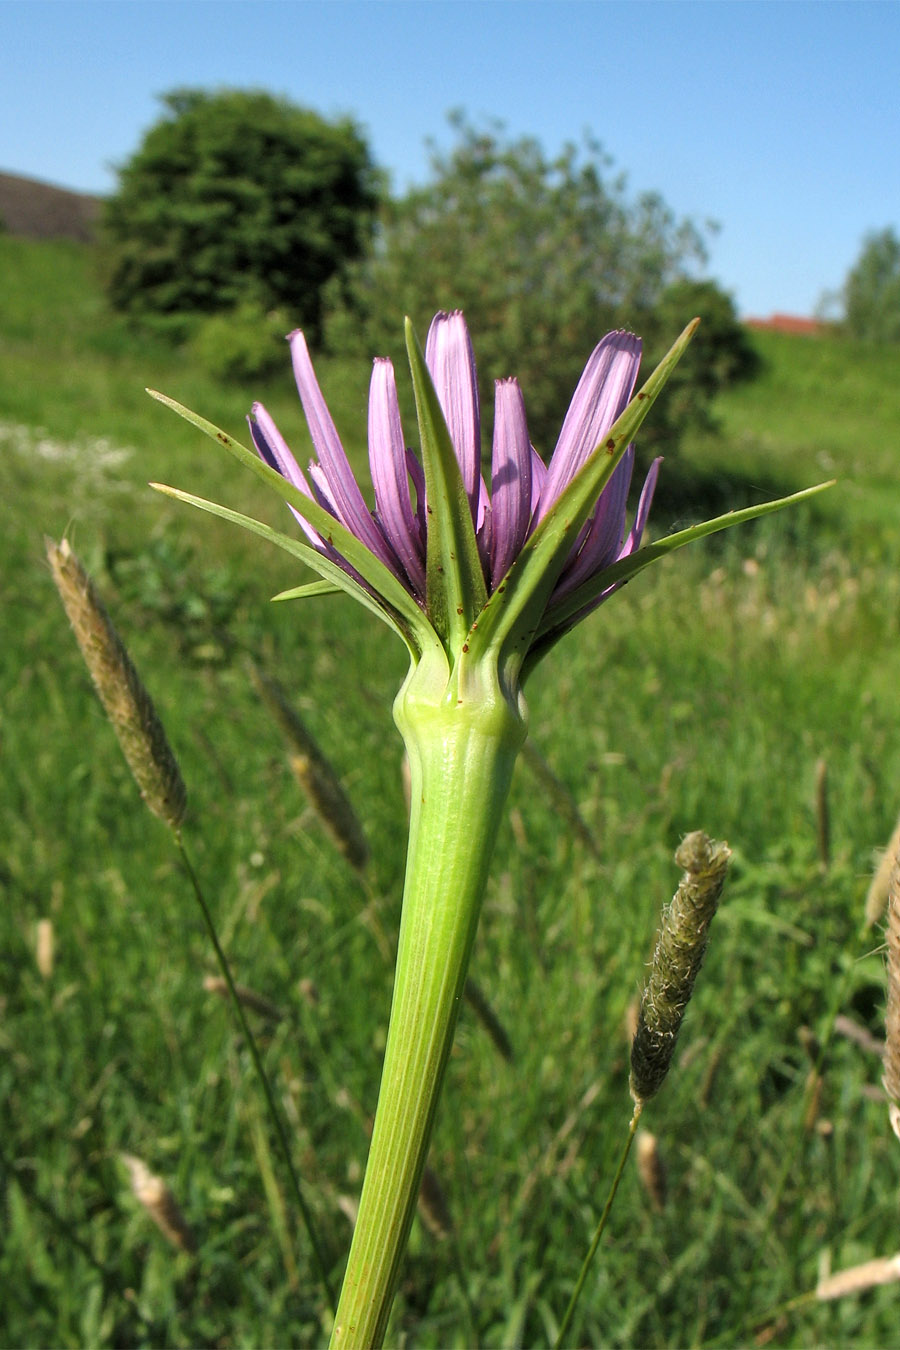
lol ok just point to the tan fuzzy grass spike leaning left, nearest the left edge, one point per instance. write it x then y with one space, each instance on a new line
122 693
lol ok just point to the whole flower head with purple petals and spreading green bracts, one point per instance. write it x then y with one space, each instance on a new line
484 584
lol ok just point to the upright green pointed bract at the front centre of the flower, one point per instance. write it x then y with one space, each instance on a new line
454 577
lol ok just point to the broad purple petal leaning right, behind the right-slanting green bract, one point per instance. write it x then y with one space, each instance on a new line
602 394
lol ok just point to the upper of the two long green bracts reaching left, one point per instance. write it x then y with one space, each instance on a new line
372 569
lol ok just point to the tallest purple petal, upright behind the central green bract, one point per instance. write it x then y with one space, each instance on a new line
451 361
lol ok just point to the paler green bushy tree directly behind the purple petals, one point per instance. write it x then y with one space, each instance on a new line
544 256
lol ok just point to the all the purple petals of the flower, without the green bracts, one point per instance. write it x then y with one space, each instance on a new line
524 489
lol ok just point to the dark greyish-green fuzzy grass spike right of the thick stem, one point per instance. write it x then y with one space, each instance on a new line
677 961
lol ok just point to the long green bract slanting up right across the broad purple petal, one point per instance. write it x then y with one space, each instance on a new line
515 611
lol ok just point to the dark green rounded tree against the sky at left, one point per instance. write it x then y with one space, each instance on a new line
233 196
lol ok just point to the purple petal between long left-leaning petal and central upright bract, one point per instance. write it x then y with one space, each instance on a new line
391 476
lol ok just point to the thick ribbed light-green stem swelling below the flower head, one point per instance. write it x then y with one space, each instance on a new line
462 739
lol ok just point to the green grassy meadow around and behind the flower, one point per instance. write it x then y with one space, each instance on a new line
747 686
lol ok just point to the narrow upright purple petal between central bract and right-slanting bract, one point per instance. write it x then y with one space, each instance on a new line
511 477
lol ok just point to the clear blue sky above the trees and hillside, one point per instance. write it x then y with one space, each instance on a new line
778 121
